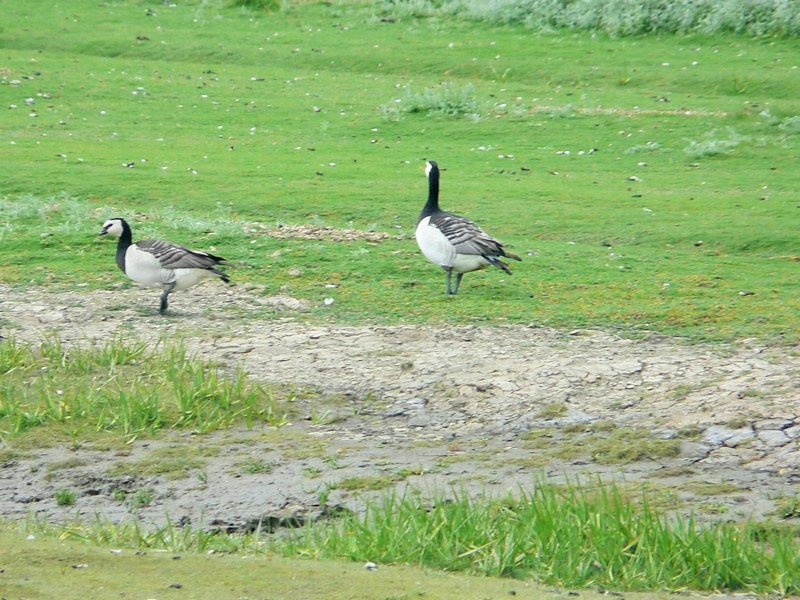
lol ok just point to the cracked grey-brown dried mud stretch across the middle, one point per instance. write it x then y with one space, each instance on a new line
713 429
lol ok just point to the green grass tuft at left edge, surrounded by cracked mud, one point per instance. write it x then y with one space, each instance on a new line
126 387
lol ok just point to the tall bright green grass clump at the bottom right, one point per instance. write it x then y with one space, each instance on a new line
570 537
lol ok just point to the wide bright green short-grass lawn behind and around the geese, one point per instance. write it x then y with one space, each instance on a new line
649 183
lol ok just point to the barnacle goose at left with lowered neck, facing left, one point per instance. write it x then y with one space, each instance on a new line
155 263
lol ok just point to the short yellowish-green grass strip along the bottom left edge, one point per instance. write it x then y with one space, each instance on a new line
41 566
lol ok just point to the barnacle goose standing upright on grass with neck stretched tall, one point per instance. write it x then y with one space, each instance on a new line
453 242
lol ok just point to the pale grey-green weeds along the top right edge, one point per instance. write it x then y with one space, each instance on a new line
617 17
